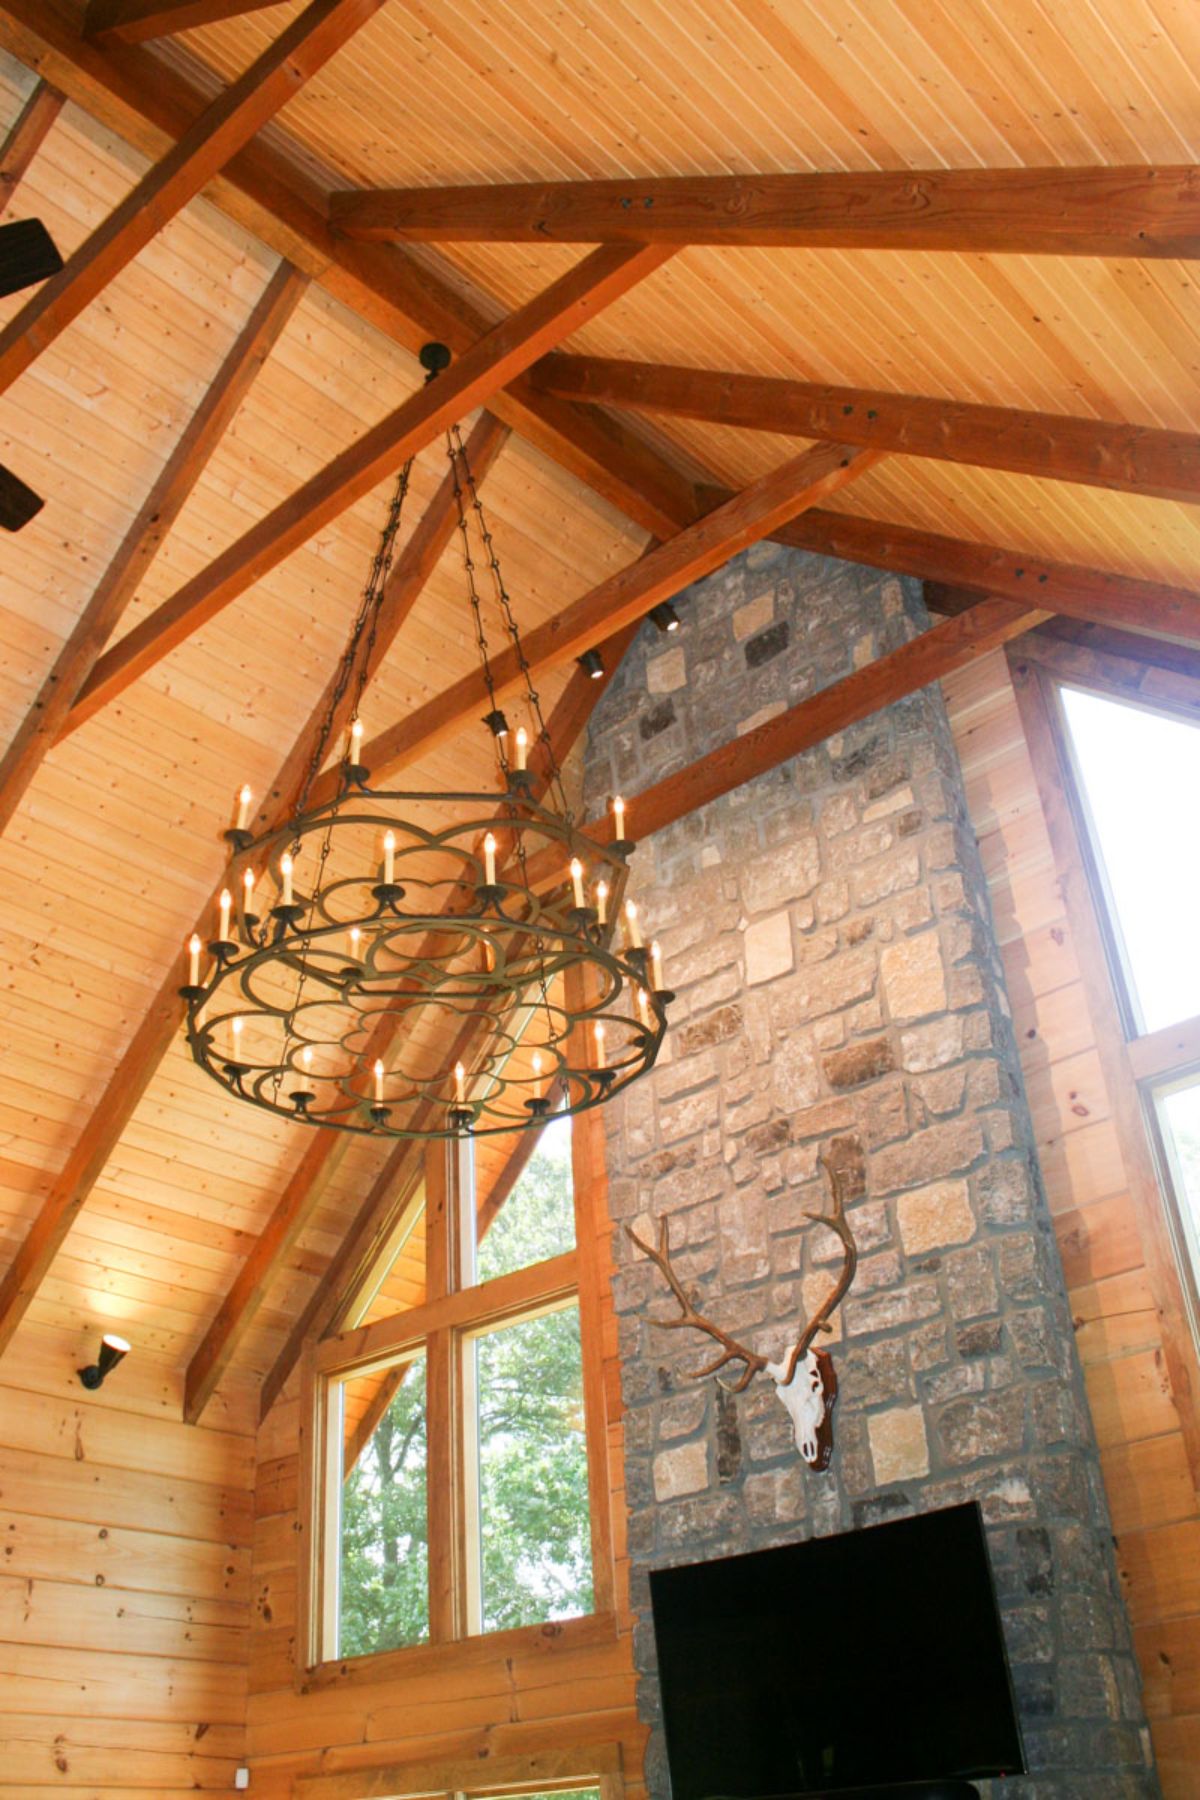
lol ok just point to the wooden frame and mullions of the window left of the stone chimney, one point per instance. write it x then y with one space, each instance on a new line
454 1313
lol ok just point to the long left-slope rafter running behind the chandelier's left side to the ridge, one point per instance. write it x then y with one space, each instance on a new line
154 1038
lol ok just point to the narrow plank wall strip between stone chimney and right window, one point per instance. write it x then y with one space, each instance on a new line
1147 1475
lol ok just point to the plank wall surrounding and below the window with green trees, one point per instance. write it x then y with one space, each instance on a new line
458 1702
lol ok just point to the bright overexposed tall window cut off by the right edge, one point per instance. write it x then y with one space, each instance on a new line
1138 777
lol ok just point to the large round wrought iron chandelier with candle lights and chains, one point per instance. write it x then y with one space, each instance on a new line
424 966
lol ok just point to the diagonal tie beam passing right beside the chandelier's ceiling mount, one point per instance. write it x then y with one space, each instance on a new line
469 382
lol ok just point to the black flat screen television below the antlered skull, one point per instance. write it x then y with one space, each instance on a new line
837 1664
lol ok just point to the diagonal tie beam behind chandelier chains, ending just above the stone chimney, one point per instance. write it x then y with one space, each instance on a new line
625 597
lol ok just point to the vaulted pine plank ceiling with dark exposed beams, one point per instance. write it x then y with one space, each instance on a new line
112 841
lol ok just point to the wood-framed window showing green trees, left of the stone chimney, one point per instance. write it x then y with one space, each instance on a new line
458 1448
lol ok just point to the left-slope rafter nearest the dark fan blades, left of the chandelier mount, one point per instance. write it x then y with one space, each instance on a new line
147 535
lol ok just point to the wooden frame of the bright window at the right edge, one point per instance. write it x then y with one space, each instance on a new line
1161 678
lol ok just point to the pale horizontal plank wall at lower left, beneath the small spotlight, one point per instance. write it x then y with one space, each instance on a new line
125 1592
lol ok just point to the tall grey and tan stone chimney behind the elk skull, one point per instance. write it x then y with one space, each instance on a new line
828 937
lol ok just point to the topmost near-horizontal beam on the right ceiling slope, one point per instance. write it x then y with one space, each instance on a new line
1129 211
